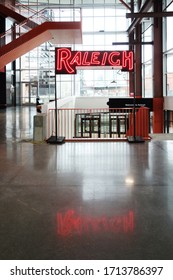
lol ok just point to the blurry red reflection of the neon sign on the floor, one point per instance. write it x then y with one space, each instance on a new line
71 222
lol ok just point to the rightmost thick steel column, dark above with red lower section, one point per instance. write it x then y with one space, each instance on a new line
158 116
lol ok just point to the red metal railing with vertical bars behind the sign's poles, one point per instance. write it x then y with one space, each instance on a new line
103 123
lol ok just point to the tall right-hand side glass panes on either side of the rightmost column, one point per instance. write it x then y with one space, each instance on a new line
147 54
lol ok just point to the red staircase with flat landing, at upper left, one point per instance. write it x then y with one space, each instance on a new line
32 34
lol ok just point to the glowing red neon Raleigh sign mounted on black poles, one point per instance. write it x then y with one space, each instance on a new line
66 60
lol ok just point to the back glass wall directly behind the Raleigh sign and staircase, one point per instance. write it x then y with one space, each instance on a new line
103 22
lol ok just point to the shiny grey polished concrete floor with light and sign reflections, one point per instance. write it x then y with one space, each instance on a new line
111 200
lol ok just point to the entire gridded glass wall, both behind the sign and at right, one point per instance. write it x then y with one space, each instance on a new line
103 22
